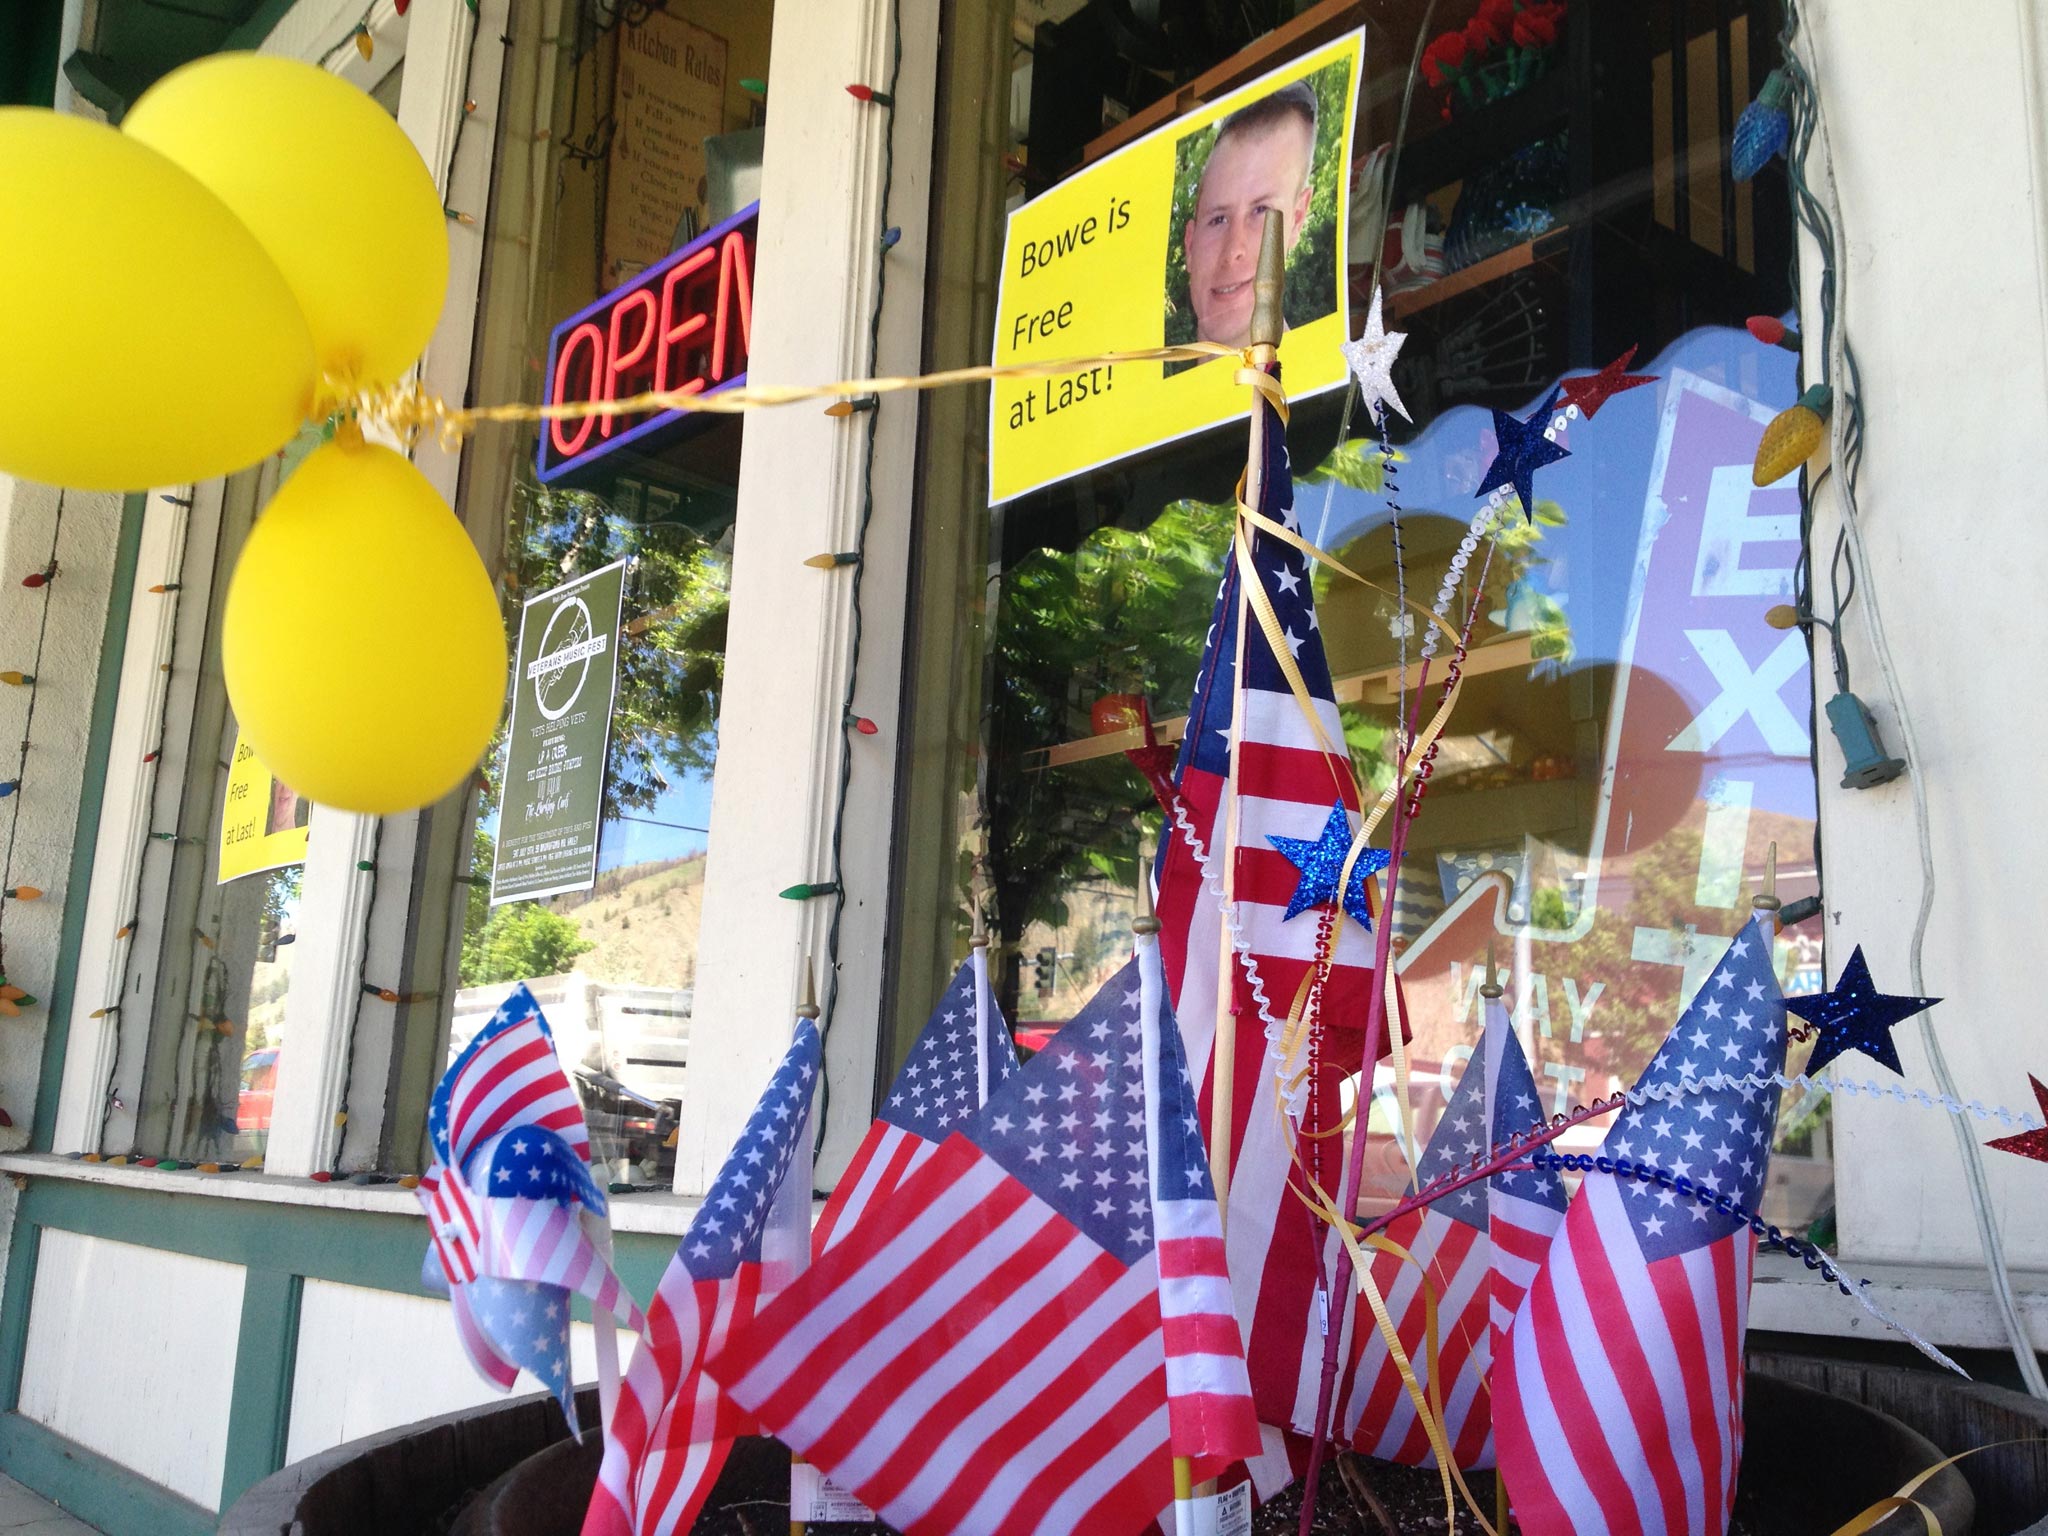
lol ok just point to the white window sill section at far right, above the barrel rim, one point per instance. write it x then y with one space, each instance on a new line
1947 1306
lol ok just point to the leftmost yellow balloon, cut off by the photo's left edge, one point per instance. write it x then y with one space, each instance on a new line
144 335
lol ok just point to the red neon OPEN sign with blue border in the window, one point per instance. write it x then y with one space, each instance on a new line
681 325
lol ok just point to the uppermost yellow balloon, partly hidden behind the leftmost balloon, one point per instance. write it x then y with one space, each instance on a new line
331 187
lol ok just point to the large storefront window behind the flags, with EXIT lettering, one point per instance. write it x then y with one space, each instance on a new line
1633 734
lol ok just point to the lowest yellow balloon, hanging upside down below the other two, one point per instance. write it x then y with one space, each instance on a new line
364 646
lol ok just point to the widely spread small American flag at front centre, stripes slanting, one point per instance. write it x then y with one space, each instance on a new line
986 1351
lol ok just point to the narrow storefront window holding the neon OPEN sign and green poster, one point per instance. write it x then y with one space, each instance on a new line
620 261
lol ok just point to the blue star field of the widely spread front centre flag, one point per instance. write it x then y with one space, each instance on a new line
1070 1125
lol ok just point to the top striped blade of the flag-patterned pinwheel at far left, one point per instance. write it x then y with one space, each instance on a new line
507 1076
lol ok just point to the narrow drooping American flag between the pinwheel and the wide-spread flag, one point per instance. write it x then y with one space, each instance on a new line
673 1428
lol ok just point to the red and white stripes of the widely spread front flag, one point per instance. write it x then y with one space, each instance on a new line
968 1361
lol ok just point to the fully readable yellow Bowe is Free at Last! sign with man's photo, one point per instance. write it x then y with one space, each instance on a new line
1156 247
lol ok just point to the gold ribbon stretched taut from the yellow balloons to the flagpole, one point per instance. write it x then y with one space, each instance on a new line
411 411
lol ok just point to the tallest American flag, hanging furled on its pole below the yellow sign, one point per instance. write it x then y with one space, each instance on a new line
1289 787
